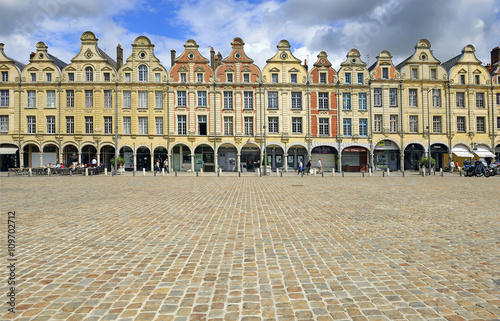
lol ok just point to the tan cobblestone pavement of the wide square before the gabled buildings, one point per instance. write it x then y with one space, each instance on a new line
249 248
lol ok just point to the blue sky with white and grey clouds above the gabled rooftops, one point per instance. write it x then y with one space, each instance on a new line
311 26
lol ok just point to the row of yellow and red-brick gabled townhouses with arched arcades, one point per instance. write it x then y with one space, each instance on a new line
362 117
